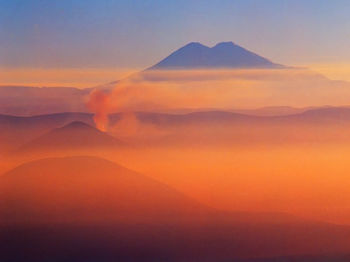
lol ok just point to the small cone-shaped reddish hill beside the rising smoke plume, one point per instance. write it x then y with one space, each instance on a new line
75 135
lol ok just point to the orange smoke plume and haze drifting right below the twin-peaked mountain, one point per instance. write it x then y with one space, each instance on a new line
216 89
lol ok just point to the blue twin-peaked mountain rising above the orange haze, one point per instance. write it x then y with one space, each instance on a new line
222 55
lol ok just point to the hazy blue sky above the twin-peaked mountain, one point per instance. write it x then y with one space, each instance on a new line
138 33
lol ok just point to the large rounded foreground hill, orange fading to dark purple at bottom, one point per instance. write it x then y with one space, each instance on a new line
89 209
